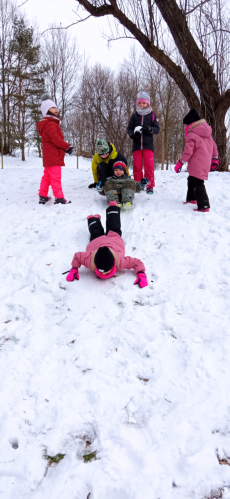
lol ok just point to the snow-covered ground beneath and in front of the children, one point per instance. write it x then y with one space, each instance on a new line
141 377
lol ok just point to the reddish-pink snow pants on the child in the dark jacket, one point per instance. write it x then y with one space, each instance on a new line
144 156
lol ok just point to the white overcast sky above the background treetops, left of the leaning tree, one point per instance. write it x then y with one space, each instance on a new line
88 34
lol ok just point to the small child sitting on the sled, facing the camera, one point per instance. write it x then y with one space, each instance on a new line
120 187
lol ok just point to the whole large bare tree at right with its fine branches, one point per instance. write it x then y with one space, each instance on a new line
199 33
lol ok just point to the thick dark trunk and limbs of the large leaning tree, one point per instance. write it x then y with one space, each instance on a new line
211 104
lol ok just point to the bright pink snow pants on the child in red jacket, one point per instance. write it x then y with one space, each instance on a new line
51 176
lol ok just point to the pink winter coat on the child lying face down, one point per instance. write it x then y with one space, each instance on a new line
116 244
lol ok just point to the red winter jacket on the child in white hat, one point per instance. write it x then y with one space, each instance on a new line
53 144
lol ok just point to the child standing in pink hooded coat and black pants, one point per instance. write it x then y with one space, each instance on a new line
200 153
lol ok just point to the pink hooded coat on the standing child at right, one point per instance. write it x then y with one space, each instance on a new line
199 150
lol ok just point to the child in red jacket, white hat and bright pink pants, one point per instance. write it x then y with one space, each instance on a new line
54 149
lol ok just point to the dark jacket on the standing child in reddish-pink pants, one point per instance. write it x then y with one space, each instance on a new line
143 140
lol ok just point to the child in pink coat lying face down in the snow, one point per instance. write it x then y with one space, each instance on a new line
106 253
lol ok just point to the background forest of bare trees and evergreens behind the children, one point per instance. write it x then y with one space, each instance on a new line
93 100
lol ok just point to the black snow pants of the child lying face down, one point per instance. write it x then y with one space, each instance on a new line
113 222
